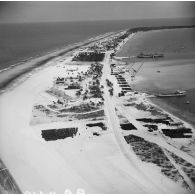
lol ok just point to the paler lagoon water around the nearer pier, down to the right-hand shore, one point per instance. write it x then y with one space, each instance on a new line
174 75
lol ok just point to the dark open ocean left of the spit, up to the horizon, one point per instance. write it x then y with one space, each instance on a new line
22 41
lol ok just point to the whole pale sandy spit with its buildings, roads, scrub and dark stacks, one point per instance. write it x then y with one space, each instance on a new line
85 126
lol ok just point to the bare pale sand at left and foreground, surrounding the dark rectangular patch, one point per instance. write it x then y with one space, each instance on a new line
102 165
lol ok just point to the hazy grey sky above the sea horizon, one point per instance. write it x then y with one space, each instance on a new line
52 11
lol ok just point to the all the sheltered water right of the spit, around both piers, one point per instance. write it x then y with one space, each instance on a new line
175 71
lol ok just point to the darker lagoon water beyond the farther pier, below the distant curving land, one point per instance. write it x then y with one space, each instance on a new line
177 42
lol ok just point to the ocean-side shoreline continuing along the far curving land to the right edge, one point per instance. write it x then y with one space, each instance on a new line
8 75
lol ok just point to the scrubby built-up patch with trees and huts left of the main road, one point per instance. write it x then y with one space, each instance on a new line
78 96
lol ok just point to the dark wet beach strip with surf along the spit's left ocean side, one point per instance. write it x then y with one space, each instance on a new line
18 70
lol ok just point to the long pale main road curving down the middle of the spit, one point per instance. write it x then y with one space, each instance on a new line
113 121
